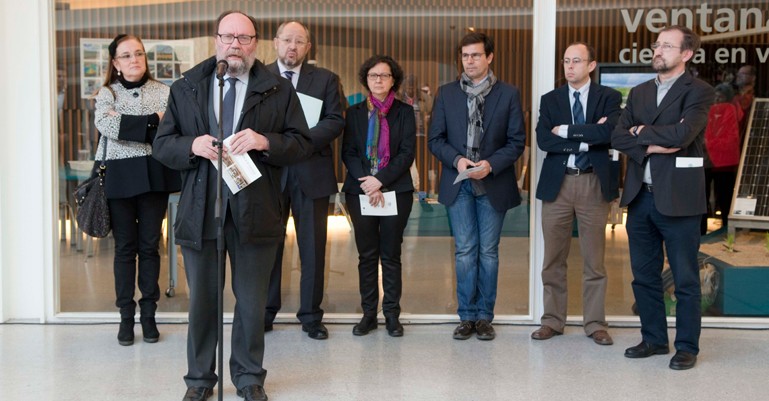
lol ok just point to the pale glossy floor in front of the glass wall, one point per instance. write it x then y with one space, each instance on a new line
84 362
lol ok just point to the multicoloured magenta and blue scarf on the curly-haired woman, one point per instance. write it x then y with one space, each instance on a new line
378 138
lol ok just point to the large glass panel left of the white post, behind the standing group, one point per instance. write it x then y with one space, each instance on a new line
421 35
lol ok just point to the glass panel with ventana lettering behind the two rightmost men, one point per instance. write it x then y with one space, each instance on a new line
734 35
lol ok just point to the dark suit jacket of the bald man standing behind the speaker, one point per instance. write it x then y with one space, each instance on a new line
316 174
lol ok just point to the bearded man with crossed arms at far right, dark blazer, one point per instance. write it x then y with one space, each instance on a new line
664 190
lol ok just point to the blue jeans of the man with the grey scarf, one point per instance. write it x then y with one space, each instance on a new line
476 227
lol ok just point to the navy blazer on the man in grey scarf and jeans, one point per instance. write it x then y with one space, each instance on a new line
502 141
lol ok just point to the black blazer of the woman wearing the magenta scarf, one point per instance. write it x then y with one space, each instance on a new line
403 139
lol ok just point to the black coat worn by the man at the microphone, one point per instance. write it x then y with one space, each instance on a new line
272 109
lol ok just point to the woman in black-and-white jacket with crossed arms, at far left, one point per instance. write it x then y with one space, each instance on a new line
129 107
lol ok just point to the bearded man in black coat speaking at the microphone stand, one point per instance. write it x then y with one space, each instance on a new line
265 119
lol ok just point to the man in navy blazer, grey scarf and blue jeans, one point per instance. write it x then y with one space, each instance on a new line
477 124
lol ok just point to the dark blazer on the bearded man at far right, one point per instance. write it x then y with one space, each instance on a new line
678 122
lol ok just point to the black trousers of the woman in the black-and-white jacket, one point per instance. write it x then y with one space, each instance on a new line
136 224
